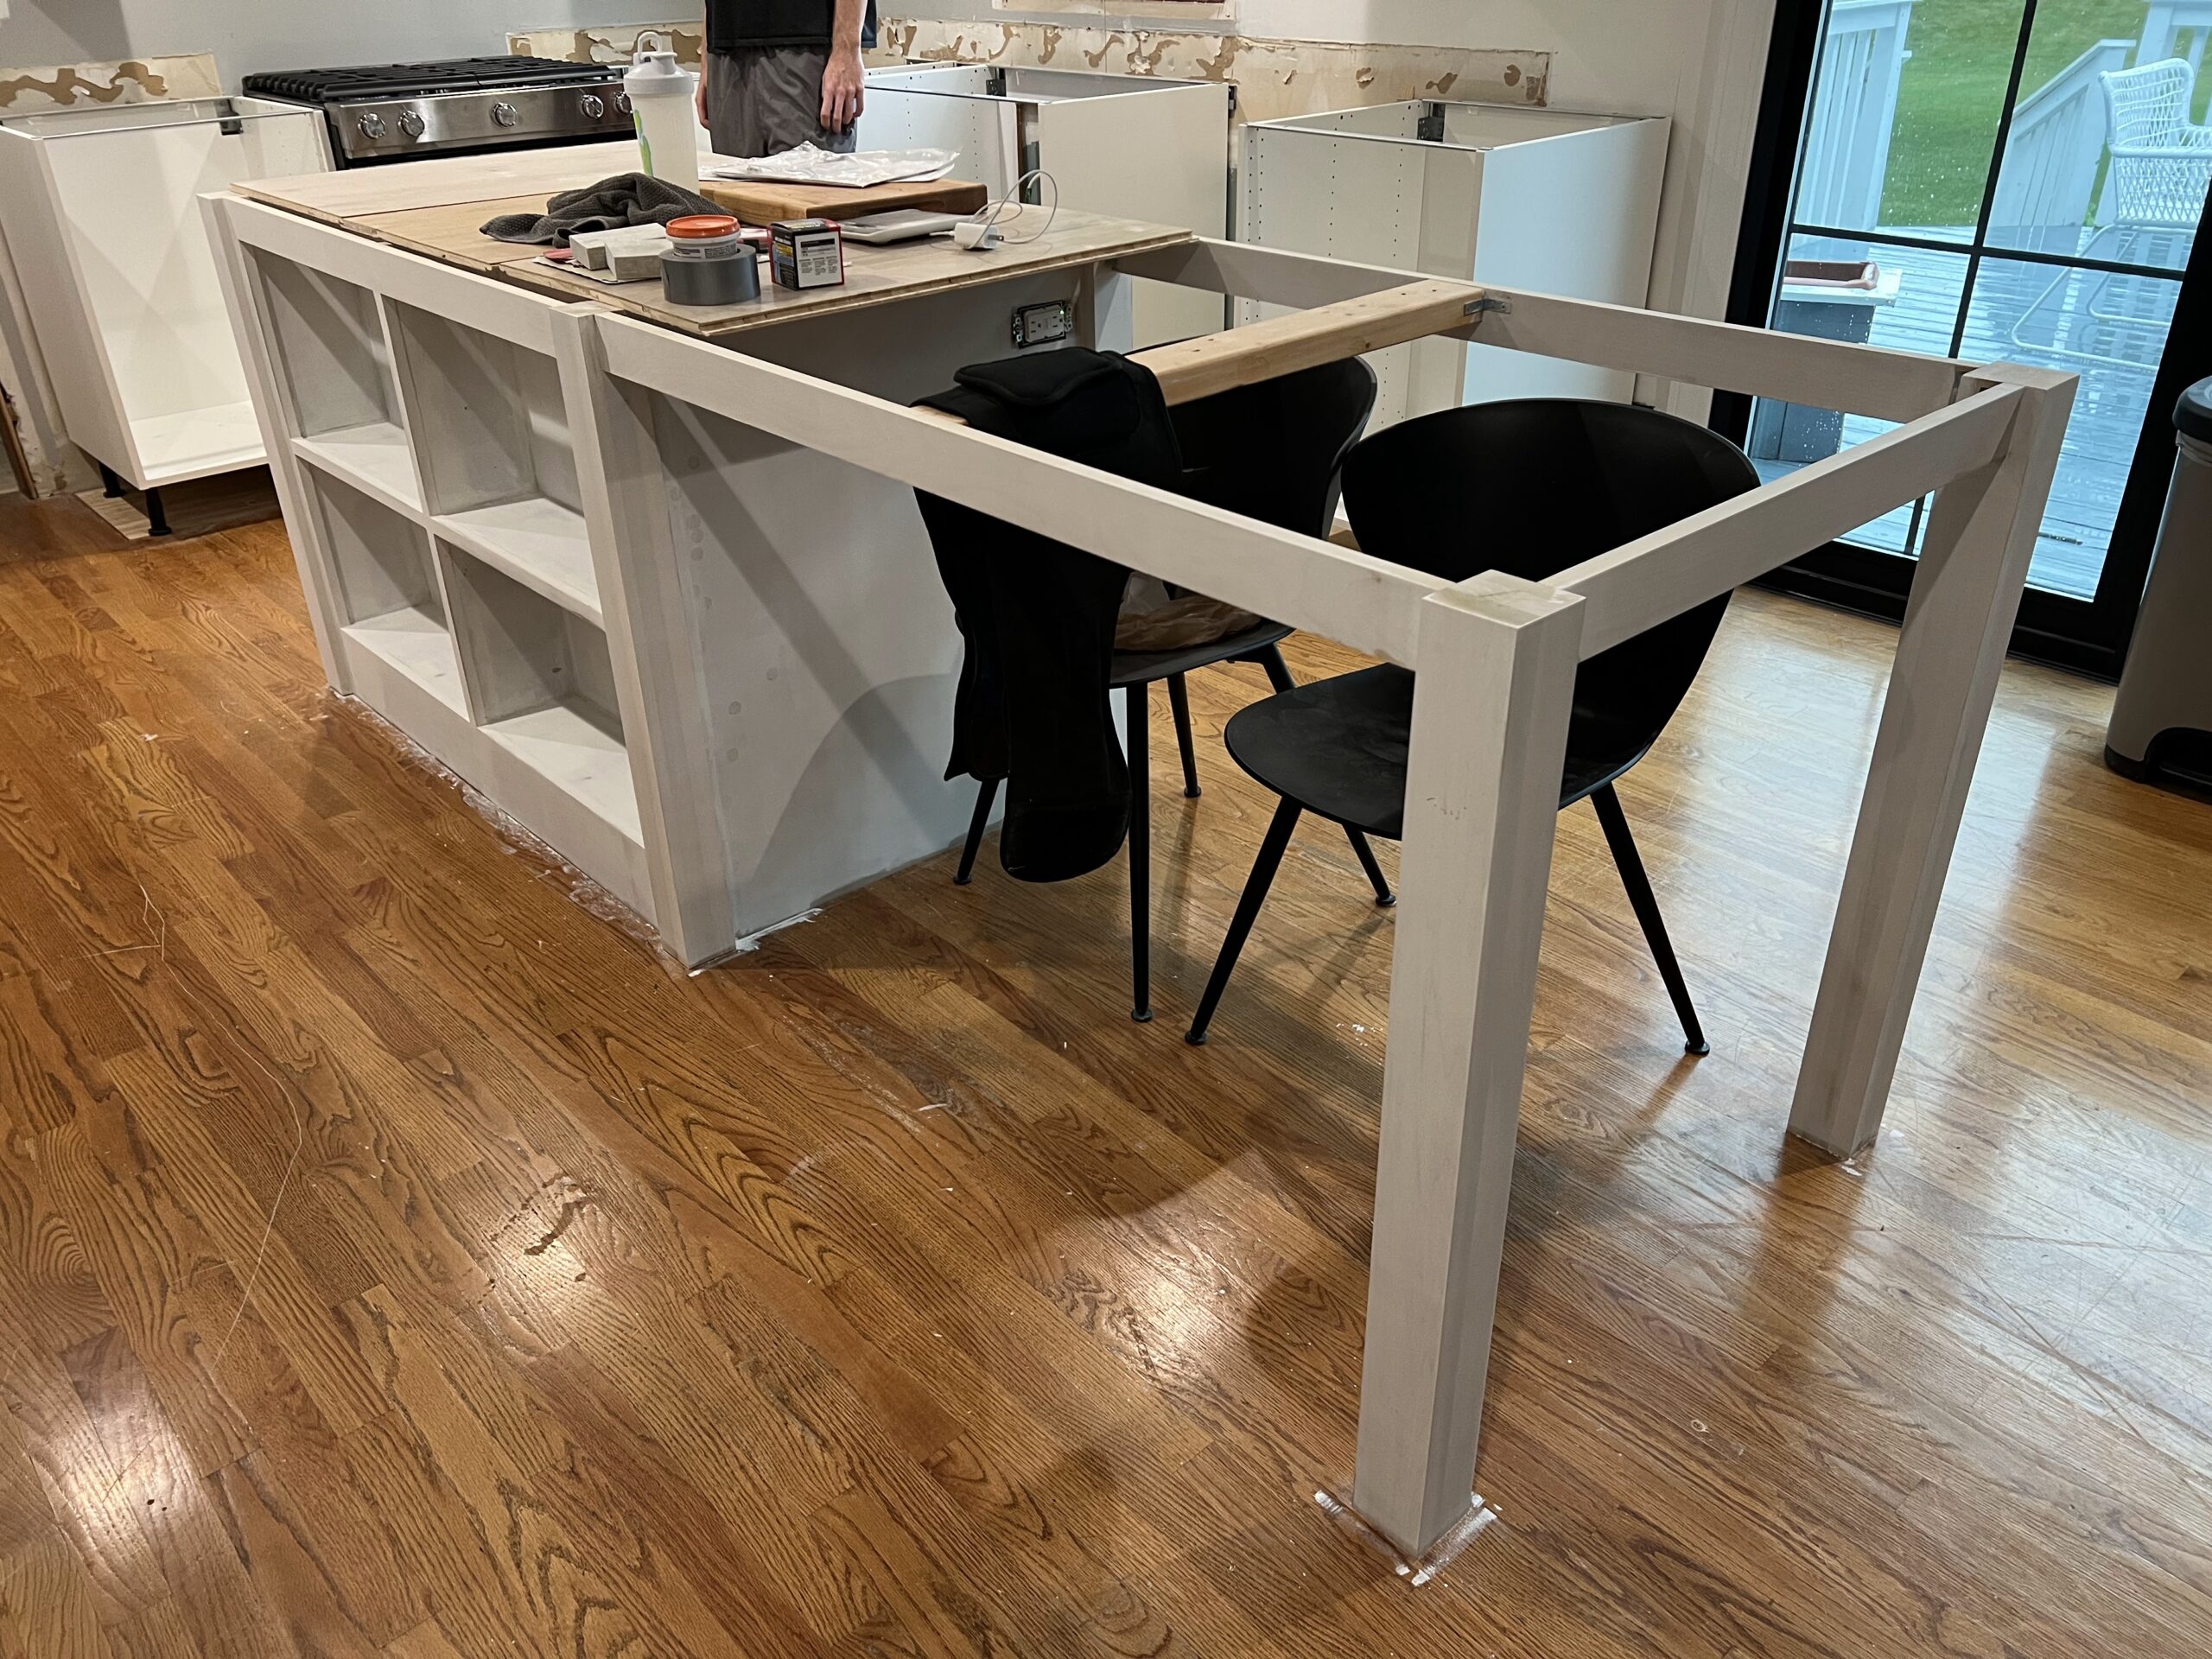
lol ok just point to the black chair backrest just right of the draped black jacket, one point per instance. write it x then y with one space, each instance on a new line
1275 450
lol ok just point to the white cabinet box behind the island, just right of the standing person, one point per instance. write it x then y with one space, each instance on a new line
1131 147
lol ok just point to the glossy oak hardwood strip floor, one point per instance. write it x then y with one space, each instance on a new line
397 1260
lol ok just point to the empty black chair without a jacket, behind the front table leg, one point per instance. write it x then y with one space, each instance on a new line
1527 488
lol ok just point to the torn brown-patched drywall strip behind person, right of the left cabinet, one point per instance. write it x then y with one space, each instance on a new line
1273 79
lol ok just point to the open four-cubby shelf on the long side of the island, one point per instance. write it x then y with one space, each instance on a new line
441 532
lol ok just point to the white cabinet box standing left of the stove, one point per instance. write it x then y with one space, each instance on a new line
103 225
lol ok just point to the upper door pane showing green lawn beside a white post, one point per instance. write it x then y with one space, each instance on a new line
1906 114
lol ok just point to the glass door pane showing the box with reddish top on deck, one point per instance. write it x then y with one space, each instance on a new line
1837 291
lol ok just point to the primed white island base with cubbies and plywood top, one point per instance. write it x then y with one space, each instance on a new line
711 669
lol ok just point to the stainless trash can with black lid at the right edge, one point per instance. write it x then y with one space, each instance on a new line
2162 720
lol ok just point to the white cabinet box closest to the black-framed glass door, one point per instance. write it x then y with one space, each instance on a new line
1523 198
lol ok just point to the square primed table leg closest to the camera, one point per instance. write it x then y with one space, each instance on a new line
1483 797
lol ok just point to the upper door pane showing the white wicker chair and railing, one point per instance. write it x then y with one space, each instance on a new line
2107 154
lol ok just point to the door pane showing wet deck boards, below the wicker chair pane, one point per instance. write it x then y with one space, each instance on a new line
2111 331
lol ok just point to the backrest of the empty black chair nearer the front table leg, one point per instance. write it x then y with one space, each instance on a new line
1536 486
